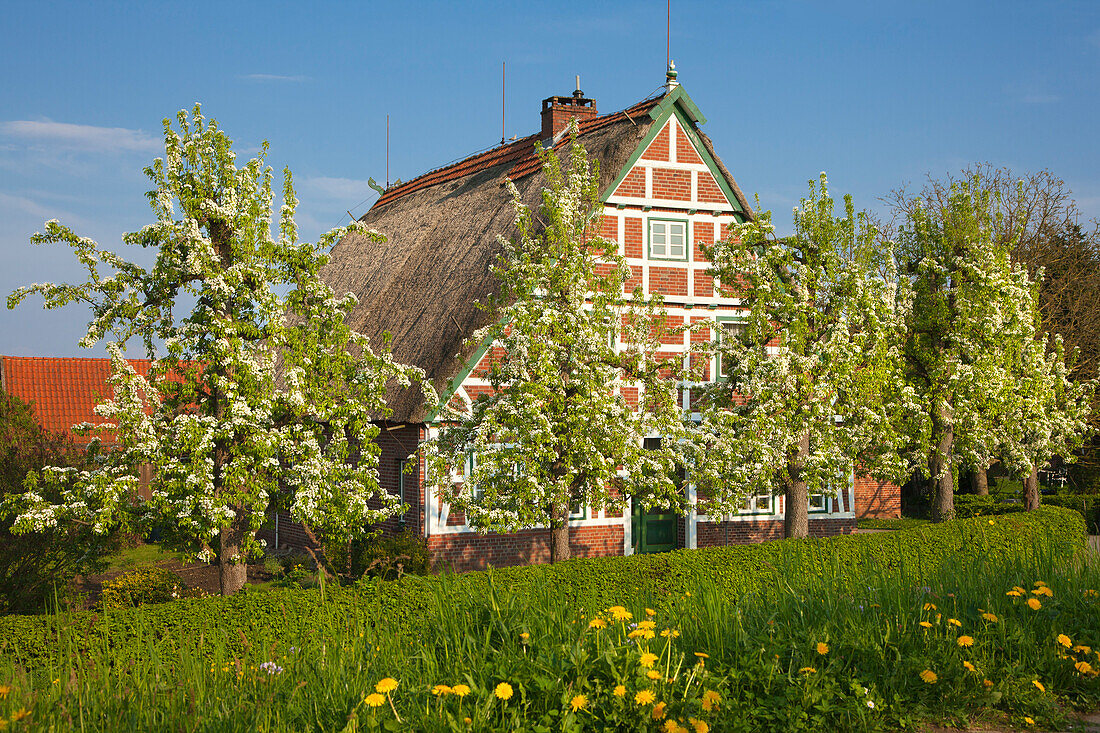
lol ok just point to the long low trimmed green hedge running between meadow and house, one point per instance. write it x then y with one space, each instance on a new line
403 607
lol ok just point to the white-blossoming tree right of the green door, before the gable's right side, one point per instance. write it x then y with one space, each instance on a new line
801 403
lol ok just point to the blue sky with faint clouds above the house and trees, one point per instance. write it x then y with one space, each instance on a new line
877 94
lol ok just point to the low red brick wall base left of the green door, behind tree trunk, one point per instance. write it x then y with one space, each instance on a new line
474 552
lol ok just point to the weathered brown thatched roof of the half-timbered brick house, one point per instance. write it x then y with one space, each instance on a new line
422 286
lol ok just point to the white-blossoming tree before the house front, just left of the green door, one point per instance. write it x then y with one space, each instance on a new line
557 431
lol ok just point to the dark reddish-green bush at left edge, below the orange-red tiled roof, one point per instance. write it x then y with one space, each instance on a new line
34 568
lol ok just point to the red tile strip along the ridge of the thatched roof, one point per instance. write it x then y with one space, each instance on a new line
520 154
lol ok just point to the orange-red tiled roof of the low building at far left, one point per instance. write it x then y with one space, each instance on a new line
65 391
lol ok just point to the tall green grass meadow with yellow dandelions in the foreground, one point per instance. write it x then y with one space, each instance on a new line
835 648
